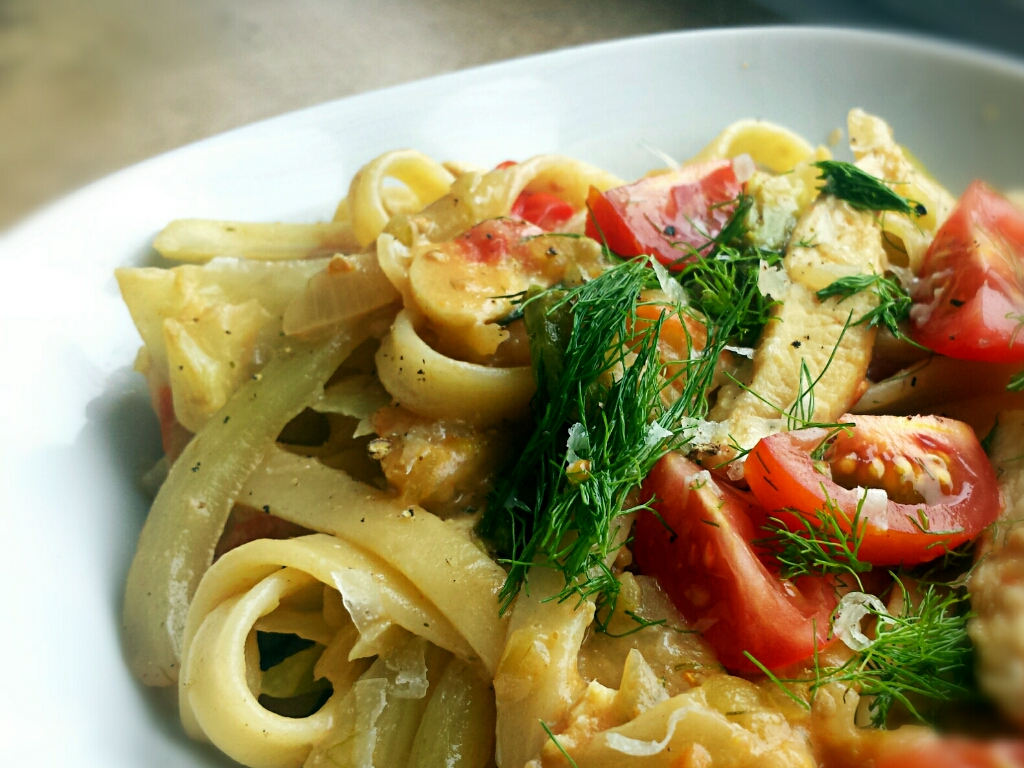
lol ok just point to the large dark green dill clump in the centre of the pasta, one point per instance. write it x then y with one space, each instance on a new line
601 381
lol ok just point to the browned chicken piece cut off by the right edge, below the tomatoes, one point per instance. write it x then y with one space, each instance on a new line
997 585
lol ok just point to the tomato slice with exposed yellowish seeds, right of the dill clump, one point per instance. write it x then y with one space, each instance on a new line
933 471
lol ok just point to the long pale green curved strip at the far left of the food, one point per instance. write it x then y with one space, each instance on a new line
188 517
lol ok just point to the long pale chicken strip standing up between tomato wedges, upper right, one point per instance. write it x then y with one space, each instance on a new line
832 240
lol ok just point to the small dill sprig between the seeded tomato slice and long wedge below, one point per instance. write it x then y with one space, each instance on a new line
823 546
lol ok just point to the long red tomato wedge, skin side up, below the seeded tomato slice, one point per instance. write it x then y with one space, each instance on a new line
709 569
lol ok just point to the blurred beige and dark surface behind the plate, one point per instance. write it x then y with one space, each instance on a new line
91 87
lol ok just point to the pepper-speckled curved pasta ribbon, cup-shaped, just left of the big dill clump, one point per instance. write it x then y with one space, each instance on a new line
434 386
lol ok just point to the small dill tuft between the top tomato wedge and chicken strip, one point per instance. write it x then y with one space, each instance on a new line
727 286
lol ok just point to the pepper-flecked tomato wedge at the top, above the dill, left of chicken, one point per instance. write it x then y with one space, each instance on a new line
668 216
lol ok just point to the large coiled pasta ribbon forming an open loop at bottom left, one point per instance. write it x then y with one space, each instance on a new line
217 689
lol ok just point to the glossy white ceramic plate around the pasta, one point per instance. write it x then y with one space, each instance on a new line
75 423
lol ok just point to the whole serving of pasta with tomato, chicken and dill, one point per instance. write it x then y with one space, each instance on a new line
533 466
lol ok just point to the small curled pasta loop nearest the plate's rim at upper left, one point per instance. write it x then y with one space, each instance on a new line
368 209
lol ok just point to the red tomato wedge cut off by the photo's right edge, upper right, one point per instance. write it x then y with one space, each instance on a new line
970 303
